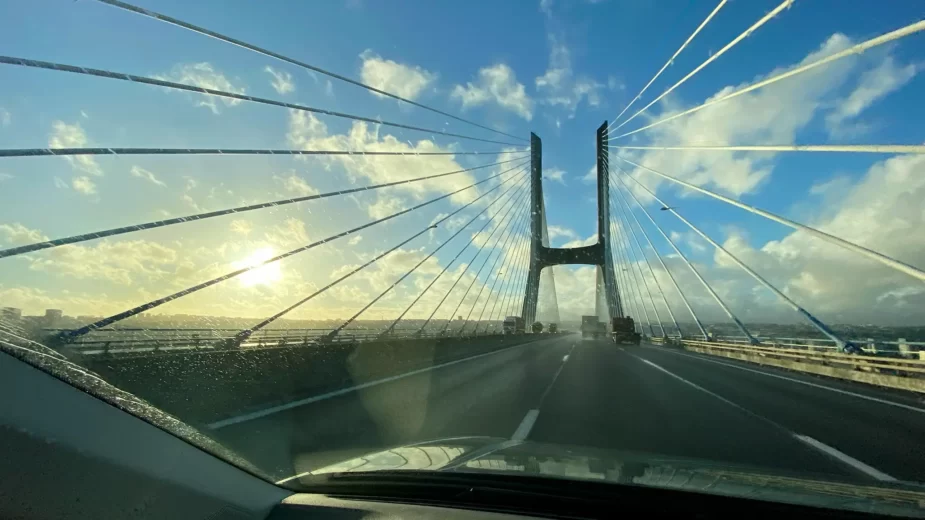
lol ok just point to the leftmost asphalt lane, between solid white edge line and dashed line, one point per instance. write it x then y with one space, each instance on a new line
485 396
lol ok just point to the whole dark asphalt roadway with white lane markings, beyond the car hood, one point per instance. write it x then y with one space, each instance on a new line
564 390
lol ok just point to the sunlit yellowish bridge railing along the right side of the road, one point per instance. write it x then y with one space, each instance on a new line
892 372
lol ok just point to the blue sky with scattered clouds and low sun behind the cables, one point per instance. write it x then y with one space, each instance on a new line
554 68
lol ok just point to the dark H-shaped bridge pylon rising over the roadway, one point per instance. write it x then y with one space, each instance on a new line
599 254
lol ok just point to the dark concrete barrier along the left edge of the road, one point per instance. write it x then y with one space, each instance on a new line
205 386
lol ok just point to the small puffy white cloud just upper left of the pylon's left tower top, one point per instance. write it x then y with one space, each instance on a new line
496 84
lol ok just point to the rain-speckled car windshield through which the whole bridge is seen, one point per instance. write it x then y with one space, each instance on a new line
599 236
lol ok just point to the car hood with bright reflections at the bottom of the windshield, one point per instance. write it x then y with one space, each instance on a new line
496 455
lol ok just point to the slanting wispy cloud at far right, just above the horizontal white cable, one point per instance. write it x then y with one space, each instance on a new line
874 84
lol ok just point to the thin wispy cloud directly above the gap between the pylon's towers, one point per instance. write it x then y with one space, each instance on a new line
561 87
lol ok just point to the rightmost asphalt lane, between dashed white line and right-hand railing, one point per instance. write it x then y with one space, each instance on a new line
880 428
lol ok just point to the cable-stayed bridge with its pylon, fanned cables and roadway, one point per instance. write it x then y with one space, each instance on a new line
292 399
